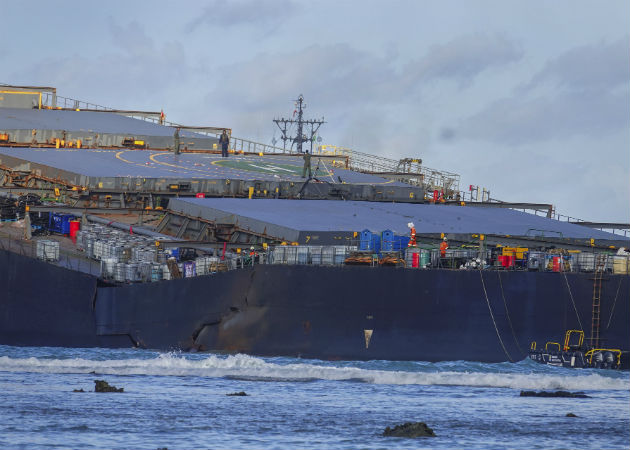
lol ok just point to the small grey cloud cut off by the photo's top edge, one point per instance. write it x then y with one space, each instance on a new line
224 13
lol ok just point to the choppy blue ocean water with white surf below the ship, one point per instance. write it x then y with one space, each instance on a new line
178 400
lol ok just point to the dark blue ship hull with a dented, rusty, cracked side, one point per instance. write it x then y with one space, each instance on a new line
312 311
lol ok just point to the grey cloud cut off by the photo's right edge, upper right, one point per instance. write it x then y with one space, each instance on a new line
603 66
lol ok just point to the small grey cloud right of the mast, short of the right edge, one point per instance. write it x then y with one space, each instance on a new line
463 58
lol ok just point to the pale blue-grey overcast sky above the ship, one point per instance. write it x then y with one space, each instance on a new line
530 99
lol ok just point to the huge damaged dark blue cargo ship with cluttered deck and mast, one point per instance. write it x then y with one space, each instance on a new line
123 230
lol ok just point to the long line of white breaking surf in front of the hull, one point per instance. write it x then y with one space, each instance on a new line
249 367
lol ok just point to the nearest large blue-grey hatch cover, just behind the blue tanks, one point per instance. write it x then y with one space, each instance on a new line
328 221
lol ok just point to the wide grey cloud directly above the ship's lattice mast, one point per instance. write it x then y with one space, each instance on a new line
334 74
